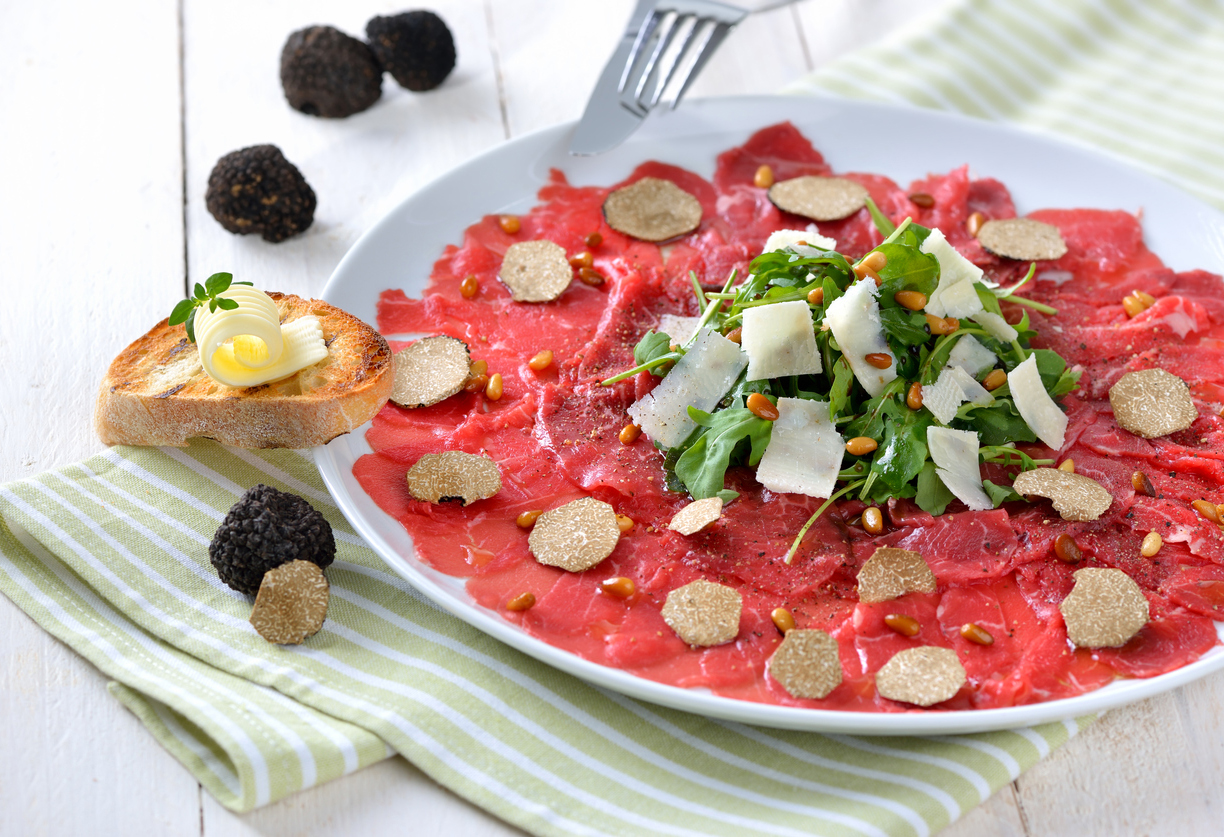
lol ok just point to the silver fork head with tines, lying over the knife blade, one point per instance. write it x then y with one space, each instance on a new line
673 46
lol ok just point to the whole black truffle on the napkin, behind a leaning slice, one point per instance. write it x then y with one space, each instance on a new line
266 529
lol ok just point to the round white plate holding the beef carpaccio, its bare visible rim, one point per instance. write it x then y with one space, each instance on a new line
899 143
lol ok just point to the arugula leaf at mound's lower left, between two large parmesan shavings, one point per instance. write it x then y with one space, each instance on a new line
703 468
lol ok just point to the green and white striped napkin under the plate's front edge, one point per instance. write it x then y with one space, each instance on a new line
112 557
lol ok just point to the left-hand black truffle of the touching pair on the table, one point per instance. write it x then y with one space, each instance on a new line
326 73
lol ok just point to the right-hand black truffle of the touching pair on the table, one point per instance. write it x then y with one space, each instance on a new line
416 48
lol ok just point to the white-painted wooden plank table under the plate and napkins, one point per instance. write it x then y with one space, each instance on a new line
112 117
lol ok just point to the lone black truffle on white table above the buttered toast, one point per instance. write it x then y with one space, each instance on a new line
258 190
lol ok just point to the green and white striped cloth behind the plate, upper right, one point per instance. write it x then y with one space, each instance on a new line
1139 79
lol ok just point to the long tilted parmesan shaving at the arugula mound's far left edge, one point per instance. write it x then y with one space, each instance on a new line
698 380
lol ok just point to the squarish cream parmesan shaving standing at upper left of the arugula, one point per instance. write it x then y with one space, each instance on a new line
780 341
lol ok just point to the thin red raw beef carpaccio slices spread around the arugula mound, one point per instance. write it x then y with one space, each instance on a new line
555 436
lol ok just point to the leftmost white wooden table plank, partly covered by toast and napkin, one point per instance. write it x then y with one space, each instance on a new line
91 237
